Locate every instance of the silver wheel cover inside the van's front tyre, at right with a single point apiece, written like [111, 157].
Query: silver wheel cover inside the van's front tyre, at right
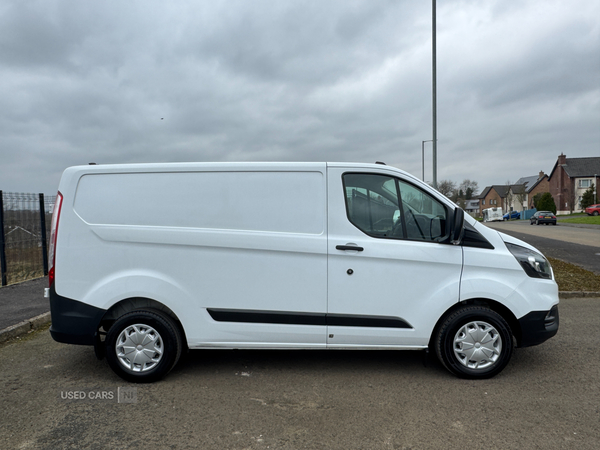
[477, 345]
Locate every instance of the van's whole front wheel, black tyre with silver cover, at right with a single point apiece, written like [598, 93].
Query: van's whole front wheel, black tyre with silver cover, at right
[474, 342]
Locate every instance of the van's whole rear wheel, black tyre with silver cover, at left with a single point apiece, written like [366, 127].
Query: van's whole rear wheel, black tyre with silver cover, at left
[158, 348]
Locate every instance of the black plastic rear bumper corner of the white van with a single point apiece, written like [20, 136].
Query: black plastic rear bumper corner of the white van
[73, 322]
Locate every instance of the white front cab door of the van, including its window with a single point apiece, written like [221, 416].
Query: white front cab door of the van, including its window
[390, 277]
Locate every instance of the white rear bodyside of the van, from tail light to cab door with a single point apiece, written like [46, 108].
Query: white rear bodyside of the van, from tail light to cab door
[250, 240]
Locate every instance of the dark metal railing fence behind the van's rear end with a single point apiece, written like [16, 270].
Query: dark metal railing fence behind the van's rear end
[24, 227]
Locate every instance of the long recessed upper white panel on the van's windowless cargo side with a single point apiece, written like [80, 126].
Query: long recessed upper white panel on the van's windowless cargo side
[290, 202]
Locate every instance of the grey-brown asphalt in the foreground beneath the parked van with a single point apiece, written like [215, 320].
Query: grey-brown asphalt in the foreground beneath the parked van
[547, 398]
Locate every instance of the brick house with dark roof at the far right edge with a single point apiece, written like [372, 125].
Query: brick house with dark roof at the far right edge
[569, 179]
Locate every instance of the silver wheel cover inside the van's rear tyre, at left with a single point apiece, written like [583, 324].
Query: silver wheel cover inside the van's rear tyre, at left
[139, 348]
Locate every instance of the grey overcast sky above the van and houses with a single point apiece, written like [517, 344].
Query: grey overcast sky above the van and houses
[155, 81]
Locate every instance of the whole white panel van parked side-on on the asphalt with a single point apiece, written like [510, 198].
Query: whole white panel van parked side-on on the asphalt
[147, 260]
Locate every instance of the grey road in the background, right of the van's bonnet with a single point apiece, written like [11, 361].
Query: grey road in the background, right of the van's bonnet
[577, 245]
